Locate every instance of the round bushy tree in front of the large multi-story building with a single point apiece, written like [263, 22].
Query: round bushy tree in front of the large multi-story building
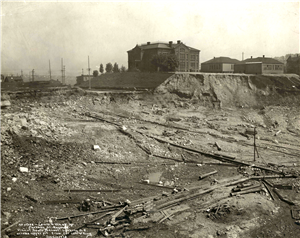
[165, 62]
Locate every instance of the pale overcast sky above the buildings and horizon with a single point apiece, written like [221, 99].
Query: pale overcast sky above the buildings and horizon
[34, 32]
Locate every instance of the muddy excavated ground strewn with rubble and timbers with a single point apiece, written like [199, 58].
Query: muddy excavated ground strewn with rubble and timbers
[48, 150]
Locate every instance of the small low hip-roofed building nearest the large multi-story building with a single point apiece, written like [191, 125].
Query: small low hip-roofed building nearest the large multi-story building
[219, 65]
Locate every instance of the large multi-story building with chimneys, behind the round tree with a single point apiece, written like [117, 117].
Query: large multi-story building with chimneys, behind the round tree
[139, 58]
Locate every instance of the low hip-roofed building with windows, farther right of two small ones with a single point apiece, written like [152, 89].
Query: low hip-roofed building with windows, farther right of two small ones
[259, 65]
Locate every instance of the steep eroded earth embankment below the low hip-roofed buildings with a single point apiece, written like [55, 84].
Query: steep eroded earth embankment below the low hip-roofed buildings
[233, 89]
